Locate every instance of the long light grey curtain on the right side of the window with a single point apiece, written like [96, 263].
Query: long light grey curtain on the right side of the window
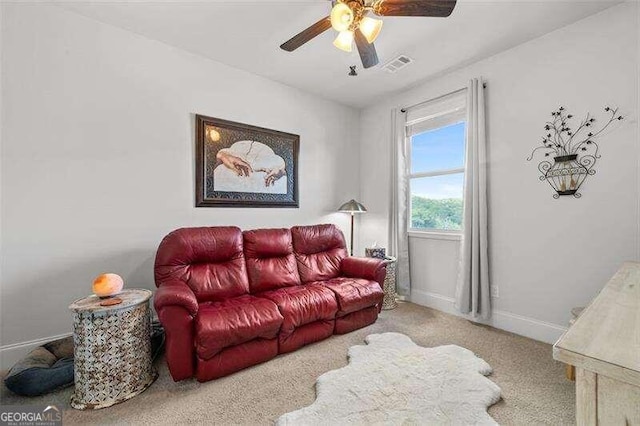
[473, 290]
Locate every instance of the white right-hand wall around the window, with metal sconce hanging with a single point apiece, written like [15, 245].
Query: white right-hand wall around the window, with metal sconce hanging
[547, 255]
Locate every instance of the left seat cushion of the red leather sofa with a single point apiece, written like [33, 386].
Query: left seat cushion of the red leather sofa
[234, 321]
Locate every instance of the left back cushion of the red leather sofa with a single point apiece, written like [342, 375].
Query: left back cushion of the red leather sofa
[210, 260]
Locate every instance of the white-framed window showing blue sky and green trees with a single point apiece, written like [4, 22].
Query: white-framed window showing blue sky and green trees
[436, 139]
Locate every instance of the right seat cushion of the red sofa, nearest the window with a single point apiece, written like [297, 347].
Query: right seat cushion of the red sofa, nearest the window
[354, 294]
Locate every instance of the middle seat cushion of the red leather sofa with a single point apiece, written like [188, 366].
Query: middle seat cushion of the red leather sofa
[303, 304]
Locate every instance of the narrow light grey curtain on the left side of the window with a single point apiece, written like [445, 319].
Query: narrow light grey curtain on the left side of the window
[398, 216]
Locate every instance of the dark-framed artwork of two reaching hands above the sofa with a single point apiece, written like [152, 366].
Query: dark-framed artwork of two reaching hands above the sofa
[238, 165]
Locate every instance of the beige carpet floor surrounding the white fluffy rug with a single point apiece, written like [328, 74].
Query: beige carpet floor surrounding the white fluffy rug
[534, 389]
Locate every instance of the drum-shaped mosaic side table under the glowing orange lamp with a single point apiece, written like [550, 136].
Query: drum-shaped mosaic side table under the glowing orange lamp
[112, 350]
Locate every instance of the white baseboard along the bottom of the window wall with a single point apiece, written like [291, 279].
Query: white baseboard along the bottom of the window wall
[518, 324]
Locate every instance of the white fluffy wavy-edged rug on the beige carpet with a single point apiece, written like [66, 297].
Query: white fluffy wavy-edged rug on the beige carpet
[391, 380]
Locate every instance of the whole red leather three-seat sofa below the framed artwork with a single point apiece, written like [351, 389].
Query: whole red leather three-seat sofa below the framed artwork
[230, 299]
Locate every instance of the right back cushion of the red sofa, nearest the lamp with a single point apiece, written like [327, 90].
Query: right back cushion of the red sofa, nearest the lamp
[319, 250]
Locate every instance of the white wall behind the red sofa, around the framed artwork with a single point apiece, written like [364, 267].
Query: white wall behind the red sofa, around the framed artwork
[98, 157]
